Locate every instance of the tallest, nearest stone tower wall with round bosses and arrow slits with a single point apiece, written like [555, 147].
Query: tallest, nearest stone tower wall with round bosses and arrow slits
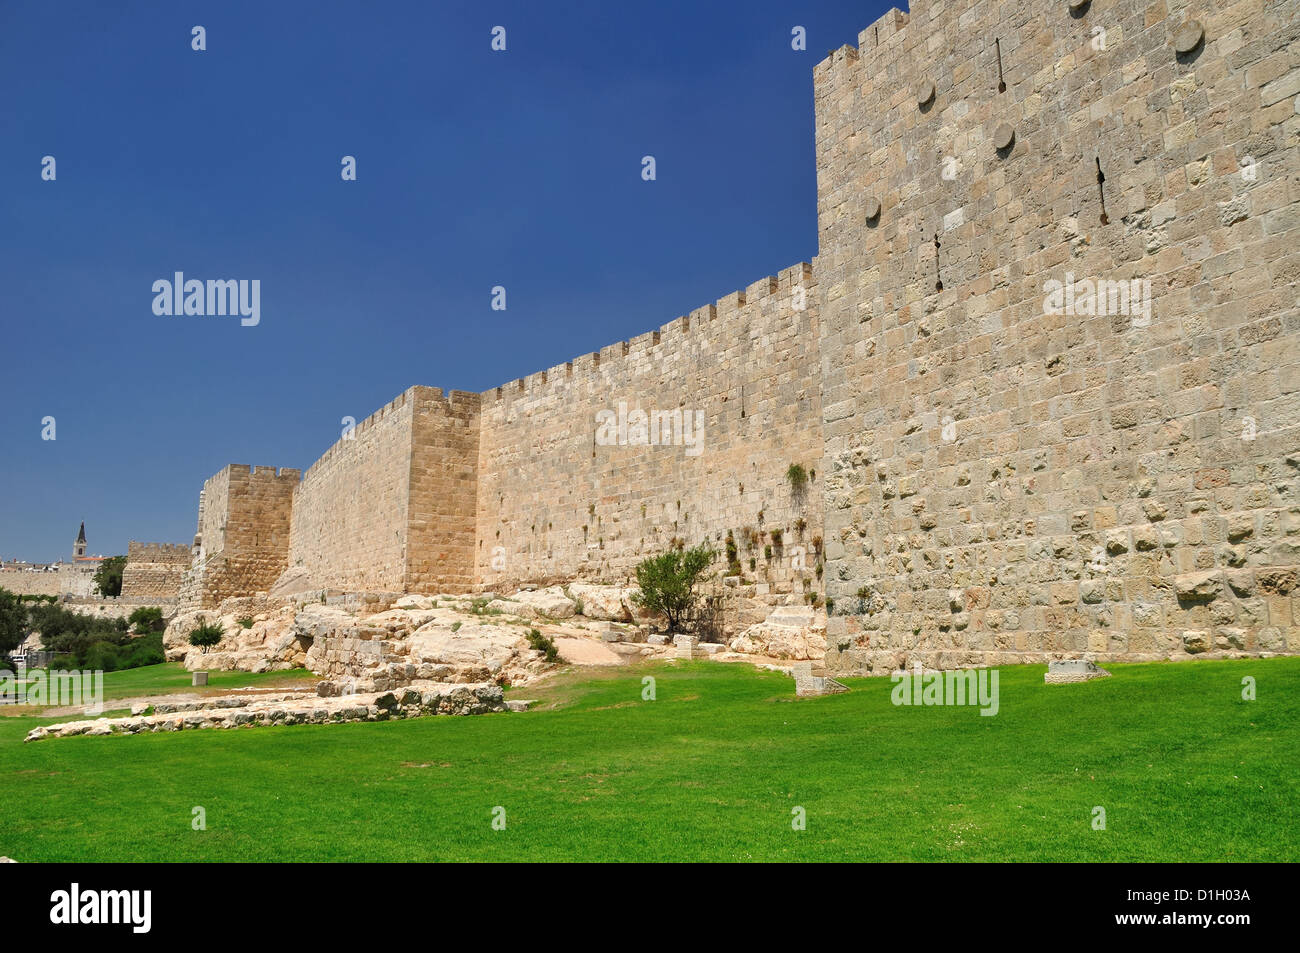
[1013, 475]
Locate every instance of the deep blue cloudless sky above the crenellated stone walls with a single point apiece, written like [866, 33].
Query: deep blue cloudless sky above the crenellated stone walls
[475, 170]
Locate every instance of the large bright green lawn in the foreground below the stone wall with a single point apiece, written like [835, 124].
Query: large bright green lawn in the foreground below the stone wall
[712, 770]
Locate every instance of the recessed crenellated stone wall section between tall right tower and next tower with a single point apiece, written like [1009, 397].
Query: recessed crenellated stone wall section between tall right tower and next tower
[731, 397]
